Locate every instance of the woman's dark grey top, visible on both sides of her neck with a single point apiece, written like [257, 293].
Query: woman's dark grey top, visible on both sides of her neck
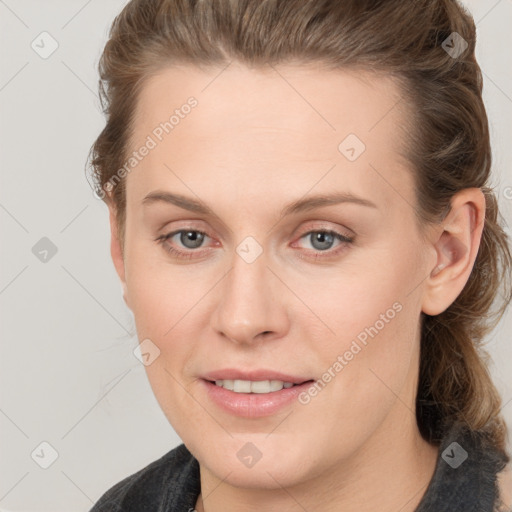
[464, 480]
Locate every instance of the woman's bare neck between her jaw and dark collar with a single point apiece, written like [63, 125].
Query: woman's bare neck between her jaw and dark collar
[390, 472]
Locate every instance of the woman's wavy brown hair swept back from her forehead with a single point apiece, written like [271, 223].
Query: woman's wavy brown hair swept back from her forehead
[448, 147]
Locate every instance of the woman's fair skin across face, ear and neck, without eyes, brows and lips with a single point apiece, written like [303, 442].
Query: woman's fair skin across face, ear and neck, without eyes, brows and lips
[252, 146]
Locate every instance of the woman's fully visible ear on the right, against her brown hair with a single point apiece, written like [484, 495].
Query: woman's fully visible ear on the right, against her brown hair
[456, 241]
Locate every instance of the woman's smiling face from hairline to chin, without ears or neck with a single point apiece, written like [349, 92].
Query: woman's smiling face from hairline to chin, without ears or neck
[266, 294]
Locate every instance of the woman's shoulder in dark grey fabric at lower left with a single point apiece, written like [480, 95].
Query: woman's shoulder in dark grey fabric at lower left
[168, 478]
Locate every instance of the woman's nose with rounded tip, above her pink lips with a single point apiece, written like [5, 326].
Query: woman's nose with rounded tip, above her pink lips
[251, 305]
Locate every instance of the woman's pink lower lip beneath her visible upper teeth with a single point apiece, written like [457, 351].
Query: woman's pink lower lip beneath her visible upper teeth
[253, 405]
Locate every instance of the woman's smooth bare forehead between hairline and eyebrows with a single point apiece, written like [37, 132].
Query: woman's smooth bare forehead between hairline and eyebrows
[275, 128]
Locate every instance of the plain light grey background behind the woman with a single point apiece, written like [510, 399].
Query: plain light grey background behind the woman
[68, 375]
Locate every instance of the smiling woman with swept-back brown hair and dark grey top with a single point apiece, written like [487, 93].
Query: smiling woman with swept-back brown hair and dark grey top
[302, 223]
